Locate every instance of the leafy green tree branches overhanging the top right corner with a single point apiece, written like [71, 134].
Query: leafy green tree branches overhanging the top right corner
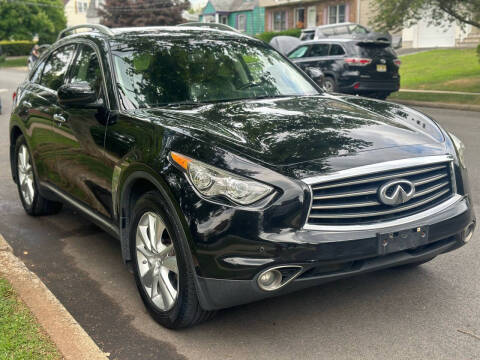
[395, 14]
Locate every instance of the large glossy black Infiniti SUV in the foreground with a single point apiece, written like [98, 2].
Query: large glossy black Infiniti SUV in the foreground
[225, 172]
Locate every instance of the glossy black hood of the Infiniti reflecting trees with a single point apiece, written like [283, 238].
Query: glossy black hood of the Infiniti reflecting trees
[292, 130]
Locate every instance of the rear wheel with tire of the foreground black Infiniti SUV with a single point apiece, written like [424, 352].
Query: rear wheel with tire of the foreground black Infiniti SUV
[28, 190]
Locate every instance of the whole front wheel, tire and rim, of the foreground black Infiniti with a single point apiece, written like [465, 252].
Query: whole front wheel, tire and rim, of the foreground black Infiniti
[171, 298]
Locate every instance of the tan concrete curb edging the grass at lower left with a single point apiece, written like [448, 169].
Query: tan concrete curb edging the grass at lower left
[69, 337]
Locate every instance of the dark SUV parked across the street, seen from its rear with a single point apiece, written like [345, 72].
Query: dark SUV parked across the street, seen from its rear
[362, 67]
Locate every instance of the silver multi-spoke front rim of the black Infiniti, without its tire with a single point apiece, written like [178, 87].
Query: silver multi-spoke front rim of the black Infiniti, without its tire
[157, 261]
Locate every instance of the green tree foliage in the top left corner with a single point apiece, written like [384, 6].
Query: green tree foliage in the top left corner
[23, 19]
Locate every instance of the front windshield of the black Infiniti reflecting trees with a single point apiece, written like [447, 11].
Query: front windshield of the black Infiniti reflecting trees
[156, 72]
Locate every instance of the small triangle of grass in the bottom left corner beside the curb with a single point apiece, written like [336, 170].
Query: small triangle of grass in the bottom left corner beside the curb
[21, 337]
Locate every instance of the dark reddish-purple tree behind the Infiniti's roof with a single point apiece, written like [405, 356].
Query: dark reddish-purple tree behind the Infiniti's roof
[118, 13]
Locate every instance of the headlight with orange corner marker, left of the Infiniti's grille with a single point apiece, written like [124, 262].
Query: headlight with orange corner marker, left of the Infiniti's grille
[211, 181]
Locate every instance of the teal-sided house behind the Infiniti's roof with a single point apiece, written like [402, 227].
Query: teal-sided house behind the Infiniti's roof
[245, 15]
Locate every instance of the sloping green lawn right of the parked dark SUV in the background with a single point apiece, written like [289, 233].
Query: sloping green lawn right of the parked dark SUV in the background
[450, 69]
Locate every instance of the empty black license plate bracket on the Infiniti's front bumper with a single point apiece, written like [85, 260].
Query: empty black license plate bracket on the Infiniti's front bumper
[402, 240]
